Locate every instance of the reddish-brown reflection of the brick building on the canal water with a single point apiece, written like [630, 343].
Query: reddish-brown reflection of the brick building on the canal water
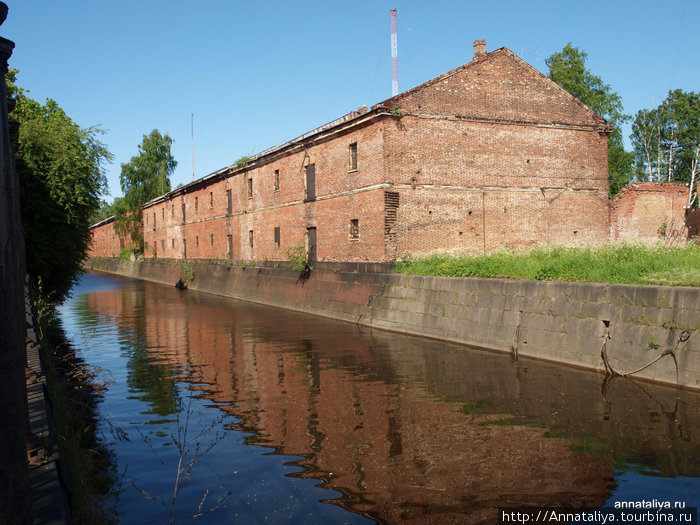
[378, 418]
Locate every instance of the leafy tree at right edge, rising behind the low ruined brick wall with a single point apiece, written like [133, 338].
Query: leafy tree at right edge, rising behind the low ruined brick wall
[666, 141]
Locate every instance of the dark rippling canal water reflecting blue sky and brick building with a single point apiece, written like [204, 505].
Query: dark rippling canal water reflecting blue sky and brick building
[231, 412]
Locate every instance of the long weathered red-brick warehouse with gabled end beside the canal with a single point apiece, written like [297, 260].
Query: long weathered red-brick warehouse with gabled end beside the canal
[488, 155]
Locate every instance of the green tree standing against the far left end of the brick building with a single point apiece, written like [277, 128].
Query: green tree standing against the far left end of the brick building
[144, 177]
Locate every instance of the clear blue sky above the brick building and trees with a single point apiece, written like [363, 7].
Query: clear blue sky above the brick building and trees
[256, 74]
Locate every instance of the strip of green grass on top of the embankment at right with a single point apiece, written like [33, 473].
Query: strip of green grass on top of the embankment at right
[622, 263]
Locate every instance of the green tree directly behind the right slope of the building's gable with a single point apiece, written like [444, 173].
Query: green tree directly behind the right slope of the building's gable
[568, 69]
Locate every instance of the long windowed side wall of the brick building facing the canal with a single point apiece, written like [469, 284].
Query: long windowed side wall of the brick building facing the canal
[341, 195]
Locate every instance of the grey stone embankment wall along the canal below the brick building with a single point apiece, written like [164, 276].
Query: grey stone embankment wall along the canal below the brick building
[621, 327]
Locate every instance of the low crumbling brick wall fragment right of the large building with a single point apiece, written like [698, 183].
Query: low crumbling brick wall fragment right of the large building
[640, 209]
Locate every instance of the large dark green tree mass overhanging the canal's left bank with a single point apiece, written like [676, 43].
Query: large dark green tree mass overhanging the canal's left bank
[61, 174]
